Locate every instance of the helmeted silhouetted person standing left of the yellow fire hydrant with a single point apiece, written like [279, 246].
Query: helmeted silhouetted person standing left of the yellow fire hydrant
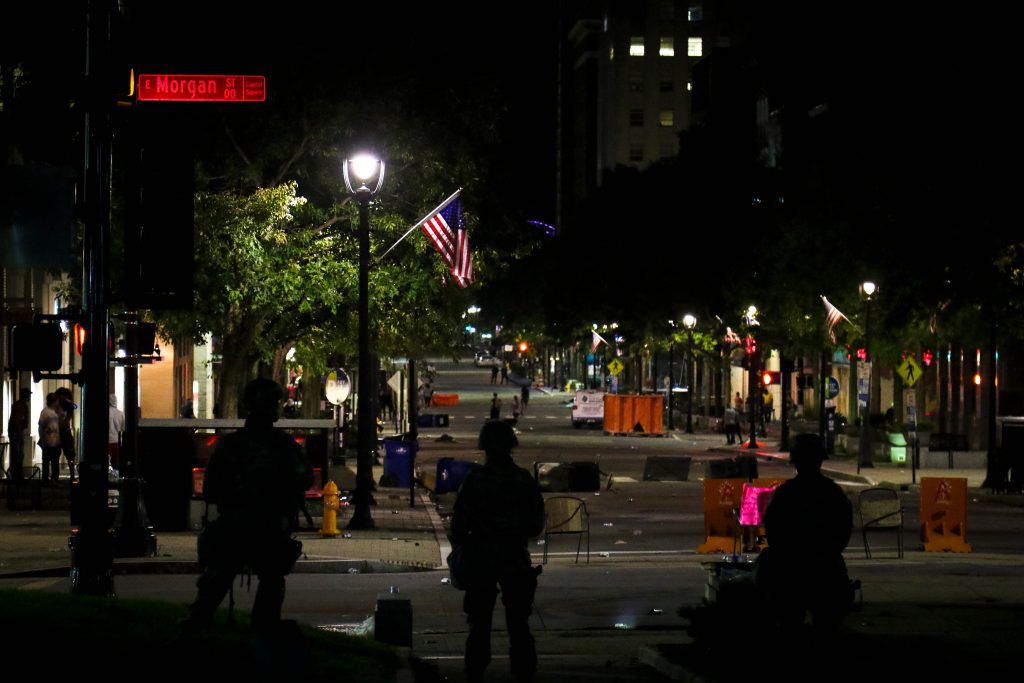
[258, 478]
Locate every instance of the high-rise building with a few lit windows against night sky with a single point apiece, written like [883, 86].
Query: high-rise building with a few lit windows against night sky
[626, 86]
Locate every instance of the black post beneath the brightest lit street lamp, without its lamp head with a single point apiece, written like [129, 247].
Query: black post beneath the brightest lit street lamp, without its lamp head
[367, 437]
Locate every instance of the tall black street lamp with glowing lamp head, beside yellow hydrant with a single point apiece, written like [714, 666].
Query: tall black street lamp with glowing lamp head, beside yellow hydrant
[368, 172]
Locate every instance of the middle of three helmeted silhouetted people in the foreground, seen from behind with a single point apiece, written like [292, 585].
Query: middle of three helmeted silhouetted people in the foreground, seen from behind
[498, 510]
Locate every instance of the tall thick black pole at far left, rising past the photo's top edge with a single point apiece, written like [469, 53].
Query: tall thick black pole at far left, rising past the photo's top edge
[93, 557]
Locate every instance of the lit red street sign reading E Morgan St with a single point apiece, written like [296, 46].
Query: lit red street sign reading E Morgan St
[201, 89]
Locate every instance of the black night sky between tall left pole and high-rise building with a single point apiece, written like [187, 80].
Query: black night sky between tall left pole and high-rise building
[466, 47]
